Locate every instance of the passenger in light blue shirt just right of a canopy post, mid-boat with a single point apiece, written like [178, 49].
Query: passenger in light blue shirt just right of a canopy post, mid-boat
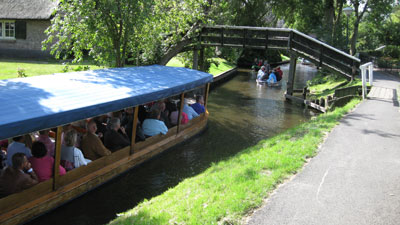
[153, 125]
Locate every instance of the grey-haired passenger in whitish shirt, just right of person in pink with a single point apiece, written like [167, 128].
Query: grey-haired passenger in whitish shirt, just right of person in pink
[71, 155]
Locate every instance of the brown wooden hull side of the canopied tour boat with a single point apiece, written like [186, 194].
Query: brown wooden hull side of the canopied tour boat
[21, 207]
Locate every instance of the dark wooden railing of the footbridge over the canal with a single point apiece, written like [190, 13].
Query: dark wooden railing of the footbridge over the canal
[283, 39]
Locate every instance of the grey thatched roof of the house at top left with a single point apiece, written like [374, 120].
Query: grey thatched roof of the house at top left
[27, 9]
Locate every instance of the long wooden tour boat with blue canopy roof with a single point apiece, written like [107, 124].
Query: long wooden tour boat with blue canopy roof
[51, 101]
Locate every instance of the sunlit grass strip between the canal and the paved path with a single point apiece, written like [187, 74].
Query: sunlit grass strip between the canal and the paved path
[230, 189]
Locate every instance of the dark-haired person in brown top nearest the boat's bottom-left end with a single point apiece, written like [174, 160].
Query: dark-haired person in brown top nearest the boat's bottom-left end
[18, 177]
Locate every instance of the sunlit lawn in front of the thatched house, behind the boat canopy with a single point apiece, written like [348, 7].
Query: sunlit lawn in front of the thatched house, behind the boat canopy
[8, 69]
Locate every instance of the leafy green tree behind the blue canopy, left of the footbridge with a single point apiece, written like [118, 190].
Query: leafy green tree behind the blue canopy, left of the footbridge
[117, 31]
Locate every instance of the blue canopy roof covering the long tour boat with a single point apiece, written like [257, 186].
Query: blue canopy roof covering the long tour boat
[41, 102]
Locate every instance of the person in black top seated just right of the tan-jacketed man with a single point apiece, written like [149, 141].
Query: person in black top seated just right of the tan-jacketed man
[115, 138]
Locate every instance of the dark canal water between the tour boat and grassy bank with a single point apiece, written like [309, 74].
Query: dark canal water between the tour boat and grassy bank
[241, 114]
